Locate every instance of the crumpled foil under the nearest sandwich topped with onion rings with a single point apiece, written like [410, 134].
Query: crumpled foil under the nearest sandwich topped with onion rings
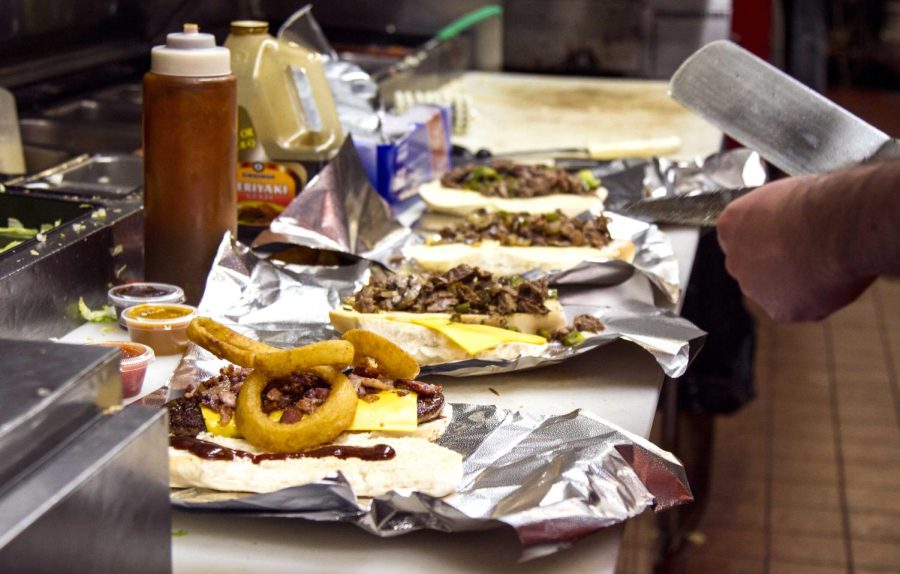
[554, 479]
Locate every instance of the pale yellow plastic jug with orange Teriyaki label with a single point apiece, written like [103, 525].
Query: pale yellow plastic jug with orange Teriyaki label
[288, 126]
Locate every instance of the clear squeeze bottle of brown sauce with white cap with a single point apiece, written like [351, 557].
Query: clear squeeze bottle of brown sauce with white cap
[190, 154]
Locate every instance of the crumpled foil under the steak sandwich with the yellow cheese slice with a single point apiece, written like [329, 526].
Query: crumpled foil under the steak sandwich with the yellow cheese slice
[286, 304]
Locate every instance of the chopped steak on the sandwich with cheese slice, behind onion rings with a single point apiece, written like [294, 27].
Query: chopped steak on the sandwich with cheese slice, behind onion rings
[461, 290]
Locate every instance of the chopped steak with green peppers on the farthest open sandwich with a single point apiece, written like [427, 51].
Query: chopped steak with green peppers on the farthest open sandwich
[507, 179]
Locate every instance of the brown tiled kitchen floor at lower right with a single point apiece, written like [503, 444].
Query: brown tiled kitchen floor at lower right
[806, 479]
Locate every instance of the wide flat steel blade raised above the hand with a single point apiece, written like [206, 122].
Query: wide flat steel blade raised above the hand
[790, 125]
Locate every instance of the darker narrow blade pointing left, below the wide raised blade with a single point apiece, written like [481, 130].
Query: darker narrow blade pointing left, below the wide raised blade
[701, 209]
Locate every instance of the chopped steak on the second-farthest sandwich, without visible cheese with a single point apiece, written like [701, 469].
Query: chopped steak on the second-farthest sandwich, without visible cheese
[529, 230]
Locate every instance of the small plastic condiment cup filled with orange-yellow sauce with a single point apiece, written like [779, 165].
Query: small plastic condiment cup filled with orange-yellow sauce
[162, 327]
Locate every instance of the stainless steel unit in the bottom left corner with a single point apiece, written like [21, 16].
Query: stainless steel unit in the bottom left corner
[82, 489]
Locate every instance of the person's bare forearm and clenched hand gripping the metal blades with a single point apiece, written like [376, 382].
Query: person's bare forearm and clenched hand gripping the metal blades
[804, 247]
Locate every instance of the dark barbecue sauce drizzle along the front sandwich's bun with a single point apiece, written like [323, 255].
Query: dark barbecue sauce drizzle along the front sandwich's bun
[211, 451]
